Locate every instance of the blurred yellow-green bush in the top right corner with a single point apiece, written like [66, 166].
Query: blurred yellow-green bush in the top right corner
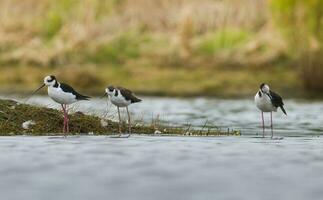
[302, 24]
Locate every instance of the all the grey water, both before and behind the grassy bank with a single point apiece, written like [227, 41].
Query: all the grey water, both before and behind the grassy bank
[179, 168]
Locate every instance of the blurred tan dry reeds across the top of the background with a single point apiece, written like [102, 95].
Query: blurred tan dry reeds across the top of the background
[21, 24]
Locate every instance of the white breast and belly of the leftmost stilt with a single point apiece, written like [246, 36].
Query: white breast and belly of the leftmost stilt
[58, 95]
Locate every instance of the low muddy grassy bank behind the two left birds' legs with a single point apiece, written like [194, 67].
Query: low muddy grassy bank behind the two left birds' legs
[23, 119]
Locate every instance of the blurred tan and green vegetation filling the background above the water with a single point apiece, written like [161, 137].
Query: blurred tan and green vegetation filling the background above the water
[223, 48]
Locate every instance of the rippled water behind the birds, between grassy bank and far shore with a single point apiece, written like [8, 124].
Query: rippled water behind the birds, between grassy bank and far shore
[304, 117]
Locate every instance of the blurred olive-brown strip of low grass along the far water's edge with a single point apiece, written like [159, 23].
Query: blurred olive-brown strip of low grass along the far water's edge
[162, 82]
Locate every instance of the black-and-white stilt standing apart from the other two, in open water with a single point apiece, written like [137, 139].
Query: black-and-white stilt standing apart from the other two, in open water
[268, 101]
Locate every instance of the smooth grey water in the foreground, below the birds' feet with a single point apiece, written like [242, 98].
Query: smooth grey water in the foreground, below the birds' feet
[145, 168]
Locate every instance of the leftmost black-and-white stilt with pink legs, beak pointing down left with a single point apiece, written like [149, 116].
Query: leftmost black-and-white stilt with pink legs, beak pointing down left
[62, 94]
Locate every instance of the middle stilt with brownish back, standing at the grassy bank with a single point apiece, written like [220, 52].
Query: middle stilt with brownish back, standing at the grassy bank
[121, 97]
